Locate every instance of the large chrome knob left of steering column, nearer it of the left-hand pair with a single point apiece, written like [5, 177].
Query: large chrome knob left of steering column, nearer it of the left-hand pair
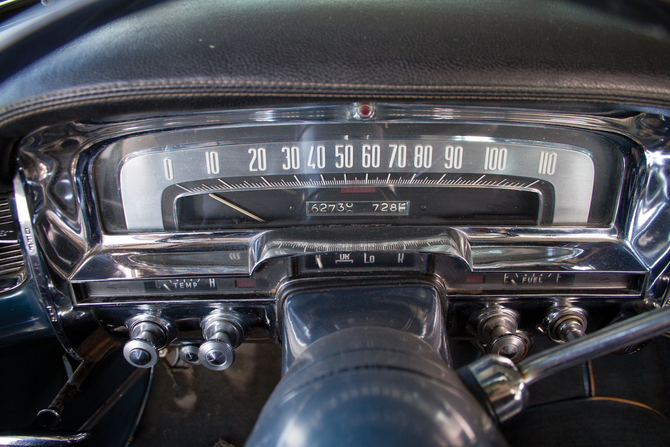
[222, 336]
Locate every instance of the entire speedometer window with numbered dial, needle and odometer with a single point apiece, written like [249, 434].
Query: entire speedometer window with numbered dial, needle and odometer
[358, 174]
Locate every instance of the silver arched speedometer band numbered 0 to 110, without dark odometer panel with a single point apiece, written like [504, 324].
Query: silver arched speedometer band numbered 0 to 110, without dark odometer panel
[151, 166]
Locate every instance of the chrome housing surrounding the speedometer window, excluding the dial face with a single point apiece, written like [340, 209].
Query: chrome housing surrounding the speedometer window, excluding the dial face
[95, 274]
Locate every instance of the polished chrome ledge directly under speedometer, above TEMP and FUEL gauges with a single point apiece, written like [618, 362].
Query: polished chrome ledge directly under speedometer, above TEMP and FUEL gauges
[165, 254]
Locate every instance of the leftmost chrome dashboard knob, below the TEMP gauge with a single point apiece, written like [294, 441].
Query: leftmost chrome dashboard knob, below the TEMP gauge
[146, 338]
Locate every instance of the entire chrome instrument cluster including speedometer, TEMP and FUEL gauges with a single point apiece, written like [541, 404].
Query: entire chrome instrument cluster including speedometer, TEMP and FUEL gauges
[198, 211]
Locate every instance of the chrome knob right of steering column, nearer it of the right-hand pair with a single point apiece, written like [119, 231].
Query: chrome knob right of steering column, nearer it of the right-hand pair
[498, 331]
